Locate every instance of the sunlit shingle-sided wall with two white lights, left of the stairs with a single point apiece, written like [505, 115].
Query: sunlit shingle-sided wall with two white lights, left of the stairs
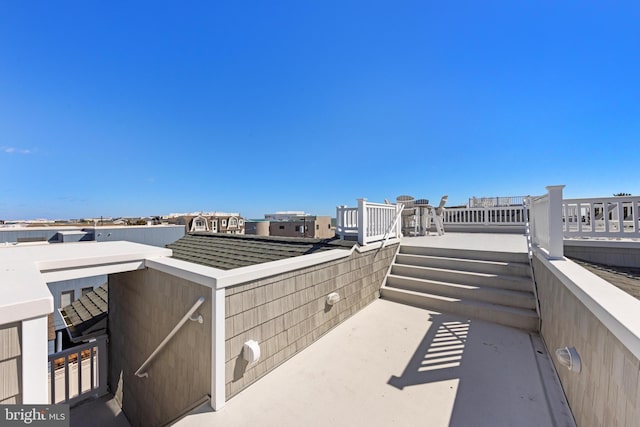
[287, 312]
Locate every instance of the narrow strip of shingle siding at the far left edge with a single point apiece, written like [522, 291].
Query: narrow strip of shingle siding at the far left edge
[10, 364]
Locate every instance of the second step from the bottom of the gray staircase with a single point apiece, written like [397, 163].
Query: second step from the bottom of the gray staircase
[496, 296]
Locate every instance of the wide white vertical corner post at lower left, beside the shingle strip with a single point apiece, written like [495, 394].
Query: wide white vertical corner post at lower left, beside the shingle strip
[35, 383]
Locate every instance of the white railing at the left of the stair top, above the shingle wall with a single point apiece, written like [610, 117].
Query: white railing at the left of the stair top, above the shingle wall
[370, 222]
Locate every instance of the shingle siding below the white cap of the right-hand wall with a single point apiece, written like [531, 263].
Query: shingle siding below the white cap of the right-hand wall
[607, 391]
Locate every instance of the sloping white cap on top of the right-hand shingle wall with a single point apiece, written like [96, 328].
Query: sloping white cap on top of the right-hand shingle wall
[616, 309]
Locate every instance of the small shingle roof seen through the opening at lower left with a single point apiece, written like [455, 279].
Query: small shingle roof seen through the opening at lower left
[86, 316]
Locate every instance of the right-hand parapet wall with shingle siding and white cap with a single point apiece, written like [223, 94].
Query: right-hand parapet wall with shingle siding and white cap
[576, 311]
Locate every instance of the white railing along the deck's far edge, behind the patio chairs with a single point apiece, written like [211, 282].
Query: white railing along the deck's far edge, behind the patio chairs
[486, 216]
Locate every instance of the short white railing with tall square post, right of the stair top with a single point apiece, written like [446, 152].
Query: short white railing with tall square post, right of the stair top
[545, 218]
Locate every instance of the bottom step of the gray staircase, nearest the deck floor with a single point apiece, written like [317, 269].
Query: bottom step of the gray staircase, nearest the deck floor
[509, 316]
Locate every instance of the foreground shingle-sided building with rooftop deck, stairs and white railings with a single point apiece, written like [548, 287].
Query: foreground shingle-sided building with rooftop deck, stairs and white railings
[452, 328]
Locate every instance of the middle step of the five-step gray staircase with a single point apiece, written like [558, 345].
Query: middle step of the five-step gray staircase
[514, 283]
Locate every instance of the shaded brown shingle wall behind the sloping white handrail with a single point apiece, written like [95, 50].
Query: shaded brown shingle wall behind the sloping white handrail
[144, 306]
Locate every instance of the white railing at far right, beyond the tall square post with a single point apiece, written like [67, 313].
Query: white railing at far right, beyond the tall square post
[602, 217]
